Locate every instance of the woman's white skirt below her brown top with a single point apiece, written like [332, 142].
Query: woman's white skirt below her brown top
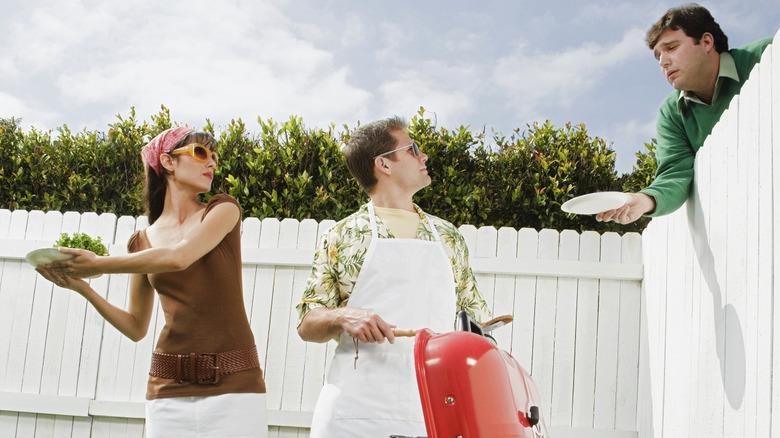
[218, 416]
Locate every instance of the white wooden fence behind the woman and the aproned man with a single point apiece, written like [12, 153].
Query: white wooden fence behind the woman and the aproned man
[64, 372]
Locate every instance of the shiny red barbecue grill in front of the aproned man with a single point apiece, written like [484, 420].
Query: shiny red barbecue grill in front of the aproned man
[469, 388]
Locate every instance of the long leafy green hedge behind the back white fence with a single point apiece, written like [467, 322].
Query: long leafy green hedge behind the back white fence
[289, 170]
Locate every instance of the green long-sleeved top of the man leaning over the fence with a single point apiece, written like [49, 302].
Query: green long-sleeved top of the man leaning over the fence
[684, 122]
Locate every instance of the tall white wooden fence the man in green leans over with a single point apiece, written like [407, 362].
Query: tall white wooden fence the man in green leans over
[711, 349]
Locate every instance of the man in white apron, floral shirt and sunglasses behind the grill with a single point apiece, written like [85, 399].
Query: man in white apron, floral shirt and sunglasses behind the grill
[387, 265]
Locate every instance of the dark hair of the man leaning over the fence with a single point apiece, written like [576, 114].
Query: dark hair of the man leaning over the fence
[694, 20]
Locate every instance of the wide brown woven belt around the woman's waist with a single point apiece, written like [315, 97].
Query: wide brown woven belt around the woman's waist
[202, 368]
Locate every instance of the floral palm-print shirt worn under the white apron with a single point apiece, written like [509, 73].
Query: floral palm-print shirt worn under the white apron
[343, 248]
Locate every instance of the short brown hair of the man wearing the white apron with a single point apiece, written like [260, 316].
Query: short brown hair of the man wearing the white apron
[367, 142]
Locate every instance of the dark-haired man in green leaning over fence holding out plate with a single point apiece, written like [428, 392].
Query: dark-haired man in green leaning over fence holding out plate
[694, 57]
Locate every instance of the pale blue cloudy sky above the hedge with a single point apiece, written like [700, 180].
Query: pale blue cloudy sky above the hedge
[493, 65]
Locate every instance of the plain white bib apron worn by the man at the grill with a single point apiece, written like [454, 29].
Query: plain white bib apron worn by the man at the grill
[408, 283]
